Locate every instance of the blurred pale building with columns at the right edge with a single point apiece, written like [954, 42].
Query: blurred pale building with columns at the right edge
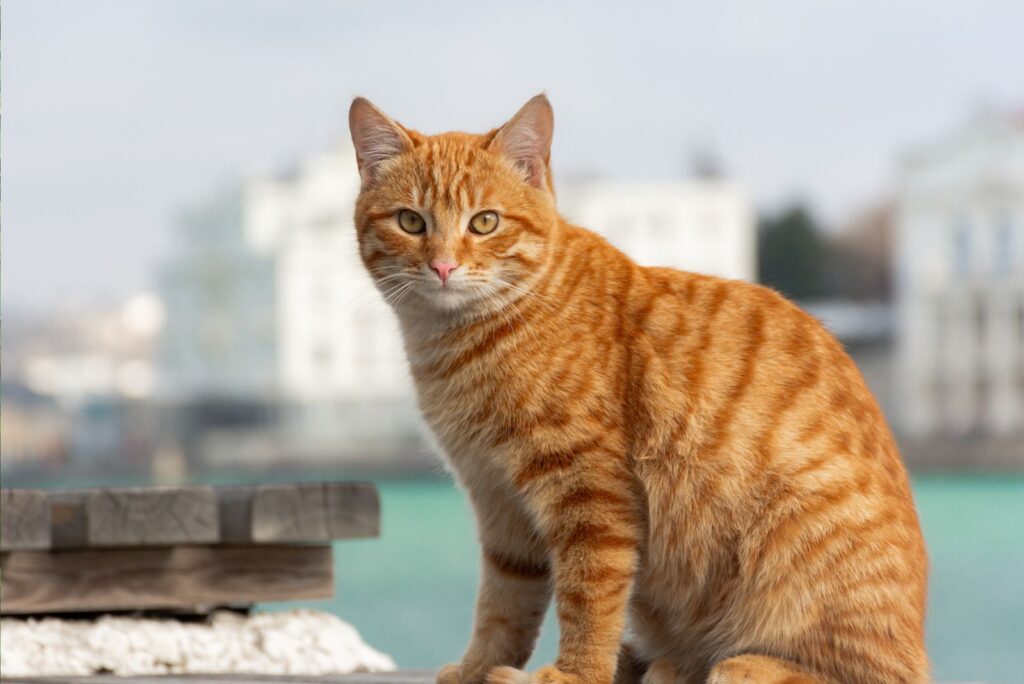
[960, 283]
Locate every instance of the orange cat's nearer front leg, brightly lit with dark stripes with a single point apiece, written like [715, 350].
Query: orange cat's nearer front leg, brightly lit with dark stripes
[591, 521]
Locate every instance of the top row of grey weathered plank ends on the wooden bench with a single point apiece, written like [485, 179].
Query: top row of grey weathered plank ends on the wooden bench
[198, 516]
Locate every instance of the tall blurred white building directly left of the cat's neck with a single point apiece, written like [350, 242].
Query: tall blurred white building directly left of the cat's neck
[337, 339]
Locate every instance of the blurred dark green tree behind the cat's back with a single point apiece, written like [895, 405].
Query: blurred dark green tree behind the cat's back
[793, 254]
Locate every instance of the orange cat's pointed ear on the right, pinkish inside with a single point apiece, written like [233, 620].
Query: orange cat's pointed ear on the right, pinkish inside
[526, 140]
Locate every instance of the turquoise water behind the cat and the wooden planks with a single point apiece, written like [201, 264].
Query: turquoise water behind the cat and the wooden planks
[411, 592]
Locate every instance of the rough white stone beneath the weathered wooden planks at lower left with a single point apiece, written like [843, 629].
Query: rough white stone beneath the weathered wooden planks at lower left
[295, 643]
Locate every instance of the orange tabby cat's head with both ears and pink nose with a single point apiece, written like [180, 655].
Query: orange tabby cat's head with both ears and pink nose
[454, 223]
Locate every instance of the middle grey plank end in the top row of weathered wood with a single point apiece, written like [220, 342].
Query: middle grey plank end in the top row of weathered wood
[152, 517]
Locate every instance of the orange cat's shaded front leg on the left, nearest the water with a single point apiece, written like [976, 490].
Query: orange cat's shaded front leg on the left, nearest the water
[515, 591]
